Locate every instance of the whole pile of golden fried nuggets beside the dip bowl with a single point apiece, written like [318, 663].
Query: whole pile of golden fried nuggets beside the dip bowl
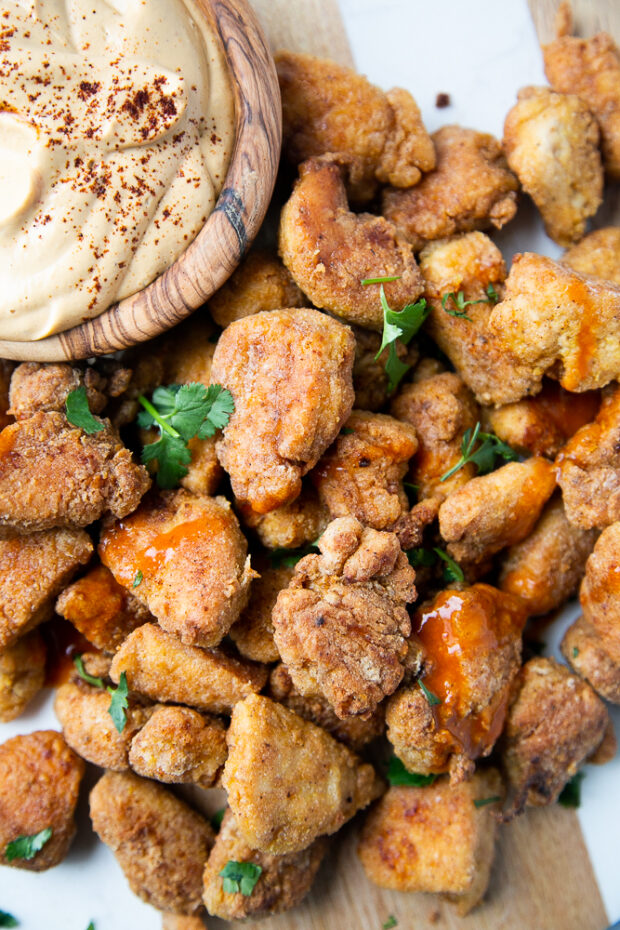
[290, 678]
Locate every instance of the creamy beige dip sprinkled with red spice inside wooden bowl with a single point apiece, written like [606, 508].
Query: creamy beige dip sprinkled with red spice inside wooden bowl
[116, 127]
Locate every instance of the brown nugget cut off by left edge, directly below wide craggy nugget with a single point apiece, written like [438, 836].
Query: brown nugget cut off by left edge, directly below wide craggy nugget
[33, 571]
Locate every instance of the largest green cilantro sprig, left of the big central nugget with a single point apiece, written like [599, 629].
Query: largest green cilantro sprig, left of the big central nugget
[181, 412]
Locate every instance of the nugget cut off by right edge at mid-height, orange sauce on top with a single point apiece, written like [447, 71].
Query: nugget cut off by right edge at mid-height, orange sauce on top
[588, 467]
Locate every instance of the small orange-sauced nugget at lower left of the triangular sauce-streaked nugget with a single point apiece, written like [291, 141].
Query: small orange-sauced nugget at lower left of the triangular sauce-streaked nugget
[101, 609]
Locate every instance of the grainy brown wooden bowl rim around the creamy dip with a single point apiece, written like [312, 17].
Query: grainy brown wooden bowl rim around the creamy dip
[229, 230]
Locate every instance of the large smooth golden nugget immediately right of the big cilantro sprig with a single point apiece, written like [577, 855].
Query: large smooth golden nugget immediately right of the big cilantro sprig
[289, 372]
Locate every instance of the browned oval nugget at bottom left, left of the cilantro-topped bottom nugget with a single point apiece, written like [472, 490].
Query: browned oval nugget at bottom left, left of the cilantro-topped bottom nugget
[159, 842]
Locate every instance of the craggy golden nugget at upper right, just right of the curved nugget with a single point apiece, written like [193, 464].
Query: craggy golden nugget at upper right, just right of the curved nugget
[471, 188]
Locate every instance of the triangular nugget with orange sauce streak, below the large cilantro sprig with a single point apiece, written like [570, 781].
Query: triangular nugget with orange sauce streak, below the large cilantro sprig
[185, 558]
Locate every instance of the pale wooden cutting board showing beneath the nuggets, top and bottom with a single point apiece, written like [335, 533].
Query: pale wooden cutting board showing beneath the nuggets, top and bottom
[542, 878]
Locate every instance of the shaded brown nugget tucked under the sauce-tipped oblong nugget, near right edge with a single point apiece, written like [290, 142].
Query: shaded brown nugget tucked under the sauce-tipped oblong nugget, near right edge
[545, 569]
